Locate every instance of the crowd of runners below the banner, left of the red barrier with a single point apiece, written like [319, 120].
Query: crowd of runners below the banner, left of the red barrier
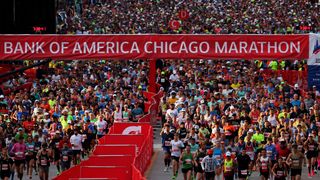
[57, 122]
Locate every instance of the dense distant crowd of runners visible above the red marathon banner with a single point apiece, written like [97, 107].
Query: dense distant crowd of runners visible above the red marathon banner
[205, 17]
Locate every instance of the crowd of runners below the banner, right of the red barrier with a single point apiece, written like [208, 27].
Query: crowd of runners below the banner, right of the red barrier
[225, 119]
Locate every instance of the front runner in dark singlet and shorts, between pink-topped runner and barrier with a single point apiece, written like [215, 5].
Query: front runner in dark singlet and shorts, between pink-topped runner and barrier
[44, 159]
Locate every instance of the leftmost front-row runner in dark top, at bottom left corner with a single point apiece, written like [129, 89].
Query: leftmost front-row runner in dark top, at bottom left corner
[6, 164]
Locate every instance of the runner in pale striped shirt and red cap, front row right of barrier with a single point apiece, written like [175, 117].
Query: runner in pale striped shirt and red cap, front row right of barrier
[210, 165]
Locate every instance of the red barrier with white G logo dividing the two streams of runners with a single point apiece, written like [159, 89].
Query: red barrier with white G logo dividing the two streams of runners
[124, 153]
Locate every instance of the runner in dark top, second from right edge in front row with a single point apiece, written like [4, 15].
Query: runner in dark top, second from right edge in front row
[294, 161]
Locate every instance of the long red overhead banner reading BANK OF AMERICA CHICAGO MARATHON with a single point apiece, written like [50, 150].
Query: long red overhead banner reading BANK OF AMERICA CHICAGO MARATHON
[70, 47]
